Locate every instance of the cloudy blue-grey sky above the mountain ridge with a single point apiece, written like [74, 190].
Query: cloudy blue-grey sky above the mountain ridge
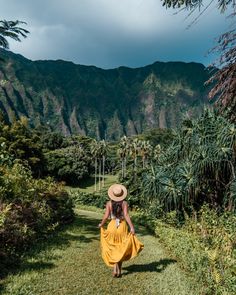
[111, 33]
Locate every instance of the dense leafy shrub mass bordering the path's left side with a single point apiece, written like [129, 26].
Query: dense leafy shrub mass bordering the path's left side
[29, 209]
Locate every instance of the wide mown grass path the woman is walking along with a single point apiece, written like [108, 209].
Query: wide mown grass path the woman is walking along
[70, 263]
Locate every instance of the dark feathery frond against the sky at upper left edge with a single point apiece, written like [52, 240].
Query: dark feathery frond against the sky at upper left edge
[10, 29]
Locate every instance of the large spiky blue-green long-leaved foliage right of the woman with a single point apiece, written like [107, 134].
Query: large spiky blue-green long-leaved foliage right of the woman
[198, 168]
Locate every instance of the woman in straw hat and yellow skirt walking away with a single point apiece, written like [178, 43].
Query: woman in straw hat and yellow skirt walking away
[117, 244]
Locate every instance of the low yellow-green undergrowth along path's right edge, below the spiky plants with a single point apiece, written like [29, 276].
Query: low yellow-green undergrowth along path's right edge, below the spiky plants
[204, 246]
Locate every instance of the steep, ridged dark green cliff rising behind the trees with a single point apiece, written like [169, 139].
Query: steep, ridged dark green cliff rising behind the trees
[100, 103]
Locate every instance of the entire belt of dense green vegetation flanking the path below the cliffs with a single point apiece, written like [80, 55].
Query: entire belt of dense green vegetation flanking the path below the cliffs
[181, 182]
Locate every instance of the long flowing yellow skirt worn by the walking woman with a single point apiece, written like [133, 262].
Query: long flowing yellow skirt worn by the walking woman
[117, 244]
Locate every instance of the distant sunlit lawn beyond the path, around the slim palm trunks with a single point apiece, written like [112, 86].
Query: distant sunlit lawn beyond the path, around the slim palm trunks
[87, 185]
